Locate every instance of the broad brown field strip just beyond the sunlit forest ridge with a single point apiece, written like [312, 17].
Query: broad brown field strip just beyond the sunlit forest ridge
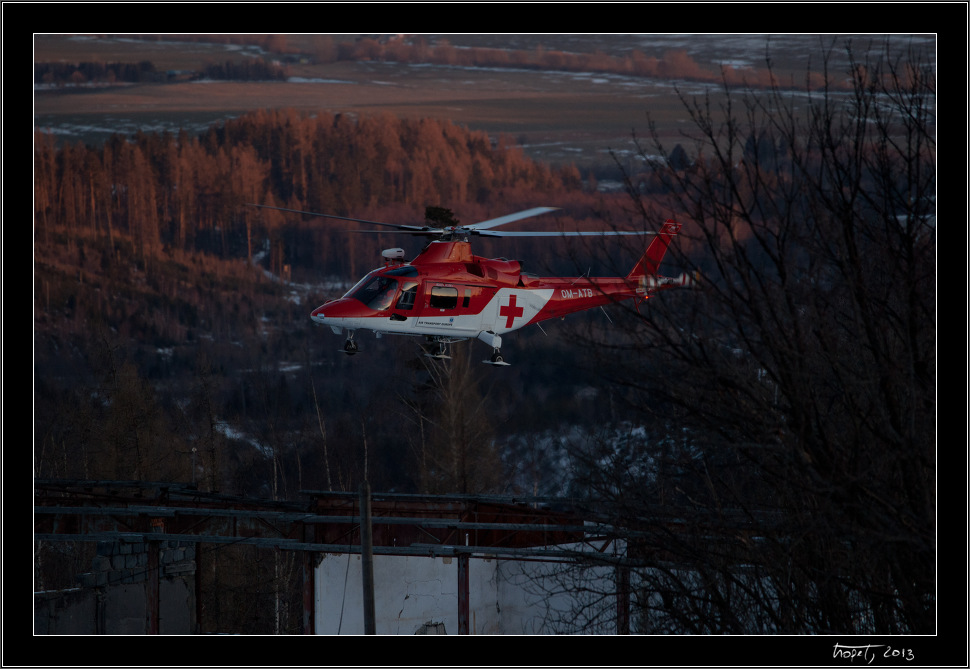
[556, 126]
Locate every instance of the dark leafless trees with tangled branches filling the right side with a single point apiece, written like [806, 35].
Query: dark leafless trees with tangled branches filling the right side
[787, 482]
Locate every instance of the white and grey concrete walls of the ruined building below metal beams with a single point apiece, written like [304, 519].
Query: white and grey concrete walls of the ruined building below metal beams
[413, 595]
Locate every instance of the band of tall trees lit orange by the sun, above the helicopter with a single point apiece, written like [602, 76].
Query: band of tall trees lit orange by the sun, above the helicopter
[176, 192]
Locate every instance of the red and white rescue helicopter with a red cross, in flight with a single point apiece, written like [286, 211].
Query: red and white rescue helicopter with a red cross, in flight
[446, 294]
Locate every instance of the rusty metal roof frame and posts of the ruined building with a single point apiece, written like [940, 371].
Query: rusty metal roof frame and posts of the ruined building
[461, 526]
